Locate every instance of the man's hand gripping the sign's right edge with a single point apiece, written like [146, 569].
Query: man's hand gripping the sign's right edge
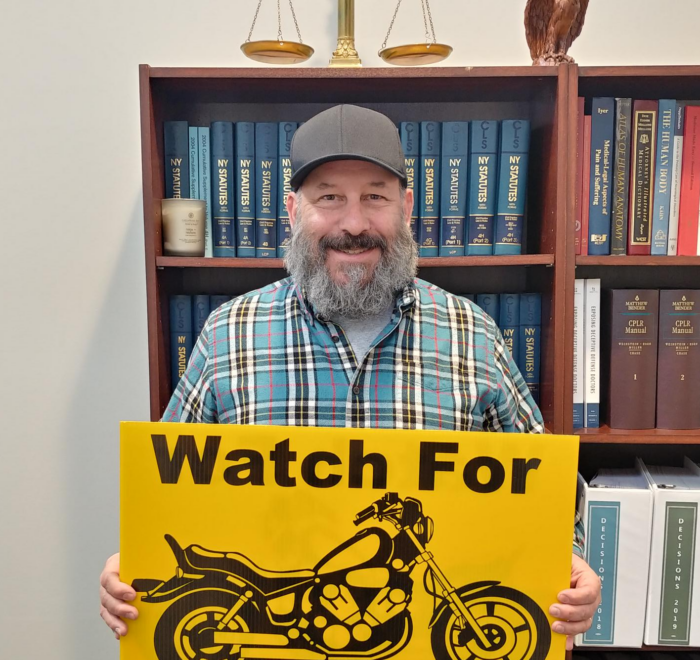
[577, 605]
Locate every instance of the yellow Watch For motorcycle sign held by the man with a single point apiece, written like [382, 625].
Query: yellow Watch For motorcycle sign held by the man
[310, 544]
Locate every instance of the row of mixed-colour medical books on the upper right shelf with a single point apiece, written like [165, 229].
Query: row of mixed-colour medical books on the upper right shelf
[638, 186]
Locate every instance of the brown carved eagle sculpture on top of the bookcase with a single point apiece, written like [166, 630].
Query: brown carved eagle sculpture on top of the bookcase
[551, 27]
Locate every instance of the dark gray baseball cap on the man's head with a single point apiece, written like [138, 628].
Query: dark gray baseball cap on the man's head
[346, 132]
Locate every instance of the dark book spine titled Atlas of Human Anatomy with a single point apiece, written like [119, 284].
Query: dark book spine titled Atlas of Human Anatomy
[621, 173]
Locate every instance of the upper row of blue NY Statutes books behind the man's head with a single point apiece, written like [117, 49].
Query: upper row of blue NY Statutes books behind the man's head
[469, 180]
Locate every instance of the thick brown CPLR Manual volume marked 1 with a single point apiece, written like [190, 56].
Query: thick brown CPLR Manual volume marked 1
[633, 317]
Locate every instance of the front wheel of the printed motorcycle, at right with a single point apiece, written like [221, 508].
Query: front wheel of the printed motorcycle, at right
[513, 623]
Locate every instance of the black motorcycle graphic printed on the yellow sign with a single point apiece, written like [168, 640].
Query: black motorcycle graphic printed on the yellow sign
[353, 604]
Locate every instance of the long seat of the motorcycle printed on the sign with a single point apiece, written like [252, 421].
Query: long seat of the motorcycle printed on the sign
[268, 582]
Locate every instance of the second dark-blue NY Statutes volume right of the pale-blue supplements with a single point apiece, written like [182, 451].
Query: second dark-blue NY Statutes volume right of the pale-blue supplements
[245, 185]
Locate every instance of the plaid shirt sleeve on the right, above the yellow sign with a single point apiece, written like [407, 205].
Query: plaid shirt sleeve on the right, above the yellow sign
[513, 409]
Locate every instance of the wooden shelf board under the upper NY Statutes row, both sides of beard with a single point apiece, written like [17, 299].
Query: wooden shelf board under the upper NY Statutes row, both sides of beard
[439, 262]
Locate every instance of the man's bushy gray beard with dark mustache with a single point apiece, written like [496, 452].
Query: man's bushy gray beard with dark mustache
[365, 293]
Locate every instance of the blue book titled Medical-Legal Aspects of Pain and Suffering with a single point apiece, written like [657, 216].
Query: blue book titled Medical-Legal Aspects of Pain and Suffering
[602, 136]
